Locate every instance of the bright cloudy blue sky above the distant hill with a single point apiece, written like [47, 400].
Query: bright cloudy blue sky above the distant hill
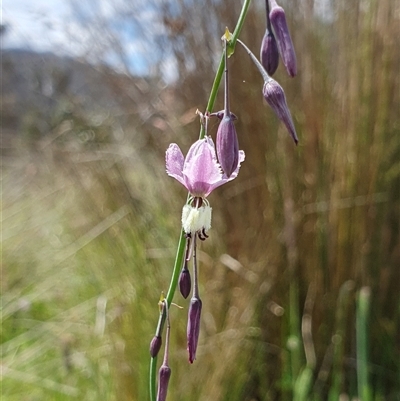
[55, 26]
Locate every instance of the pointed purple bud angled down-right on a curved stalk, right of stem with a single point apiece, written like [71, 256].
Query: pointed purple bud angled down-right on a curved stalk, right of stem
[275, 97]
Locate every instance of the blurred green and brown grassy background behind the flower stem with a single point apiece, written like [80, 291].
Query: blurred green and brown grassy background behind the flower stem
[300, 276]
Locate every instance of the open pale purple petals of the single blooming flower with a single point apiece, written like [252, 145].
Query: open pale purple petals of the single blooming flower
[199, 172]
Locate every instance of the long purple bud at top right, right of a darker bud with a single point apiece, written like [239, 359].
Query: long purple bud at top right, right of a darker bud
[285, 44]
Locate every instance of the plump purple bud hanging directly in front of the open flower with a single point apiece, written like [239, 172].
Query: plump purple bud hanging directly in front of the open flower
[227, 145]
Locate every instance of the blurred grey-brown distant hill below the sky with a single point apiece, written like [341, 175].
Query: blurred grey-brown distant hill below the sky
[39, 89]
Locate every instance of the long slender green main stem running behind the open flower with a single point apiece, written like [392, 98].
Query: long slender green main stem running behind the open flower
[182, 240]
